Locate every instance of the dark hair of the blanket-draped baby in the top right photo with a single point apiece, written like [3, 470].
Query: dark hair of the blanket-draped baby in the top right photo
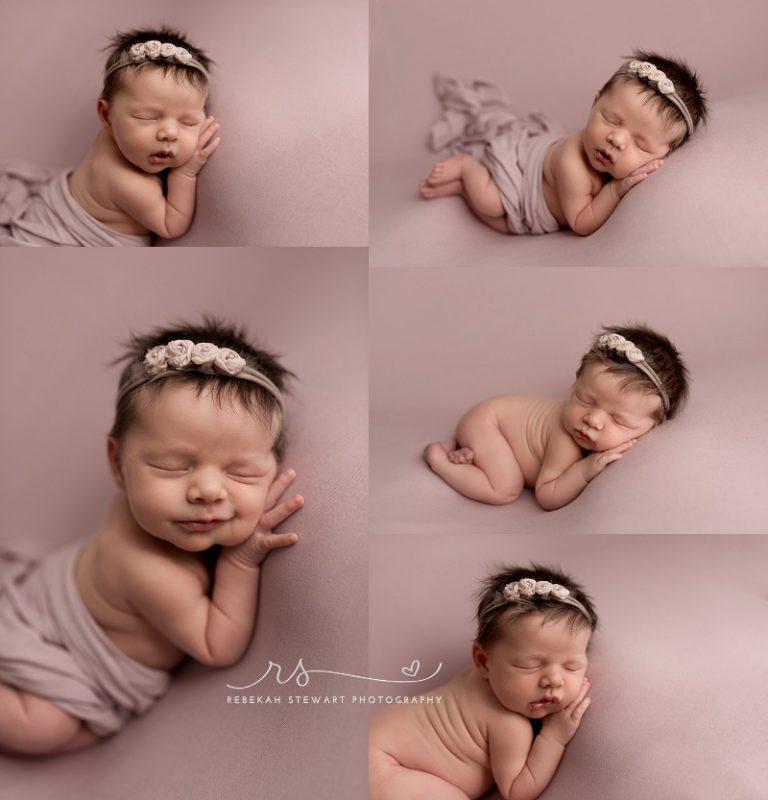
[688, 88]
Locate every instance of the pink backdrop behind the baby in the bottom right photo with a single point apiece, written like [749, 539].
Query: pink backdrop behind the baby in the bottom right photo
[678, 666]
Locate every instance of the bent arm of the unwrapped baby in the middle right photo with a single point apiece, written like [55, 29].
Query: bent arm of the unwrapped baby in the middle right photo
[564, 474]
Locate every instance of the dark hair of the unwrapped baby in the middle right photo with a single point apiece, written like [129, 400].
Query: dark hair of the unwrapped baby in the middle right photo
[662, 356]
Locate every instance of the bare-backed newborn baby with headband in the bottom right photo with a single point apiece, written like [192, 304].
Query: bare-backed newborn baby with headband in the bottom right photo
[529, 664]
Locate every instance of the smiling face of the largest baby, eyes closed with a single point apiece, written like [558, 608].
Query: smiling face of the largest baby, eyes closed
[195, 473]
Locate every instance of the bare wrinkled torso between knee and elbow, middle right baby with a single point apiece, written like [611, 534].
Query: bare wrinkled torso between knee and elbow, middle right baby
[527, 422]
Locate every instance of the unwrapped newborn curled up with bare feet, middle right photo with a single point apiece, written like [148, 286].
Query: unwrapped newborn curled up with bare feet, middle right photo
[629, 381]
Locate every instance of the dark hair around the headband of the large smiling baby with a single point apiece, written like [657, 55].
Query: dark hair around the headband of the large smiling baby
[256, 399]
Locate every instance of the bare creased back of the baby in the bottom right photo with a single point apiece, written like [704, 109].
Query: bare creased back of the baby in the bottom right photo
[446, 738]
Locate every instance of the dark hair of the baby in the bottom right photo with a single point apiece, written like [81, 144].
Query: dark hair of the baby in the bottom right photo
[495, 610]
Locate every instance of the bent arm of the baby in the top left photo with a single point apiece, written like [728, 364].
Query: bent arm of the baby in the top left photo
[143, 199]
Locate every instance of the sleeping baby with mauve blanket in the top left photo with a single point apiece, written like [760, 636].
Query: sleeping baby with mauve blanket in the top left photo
[139, 176]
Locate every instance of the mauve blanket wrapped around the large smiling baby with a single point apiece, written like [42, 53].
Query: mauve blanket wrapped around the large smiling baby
[52, 647]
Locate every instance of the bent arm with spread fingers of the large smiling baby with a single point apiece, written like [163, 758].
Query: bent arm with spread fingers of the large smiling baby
[215, 631]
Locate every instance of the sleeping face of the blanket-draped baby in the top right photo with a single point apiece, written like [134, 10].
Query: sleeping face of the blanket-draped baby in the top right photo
[625, 131]
